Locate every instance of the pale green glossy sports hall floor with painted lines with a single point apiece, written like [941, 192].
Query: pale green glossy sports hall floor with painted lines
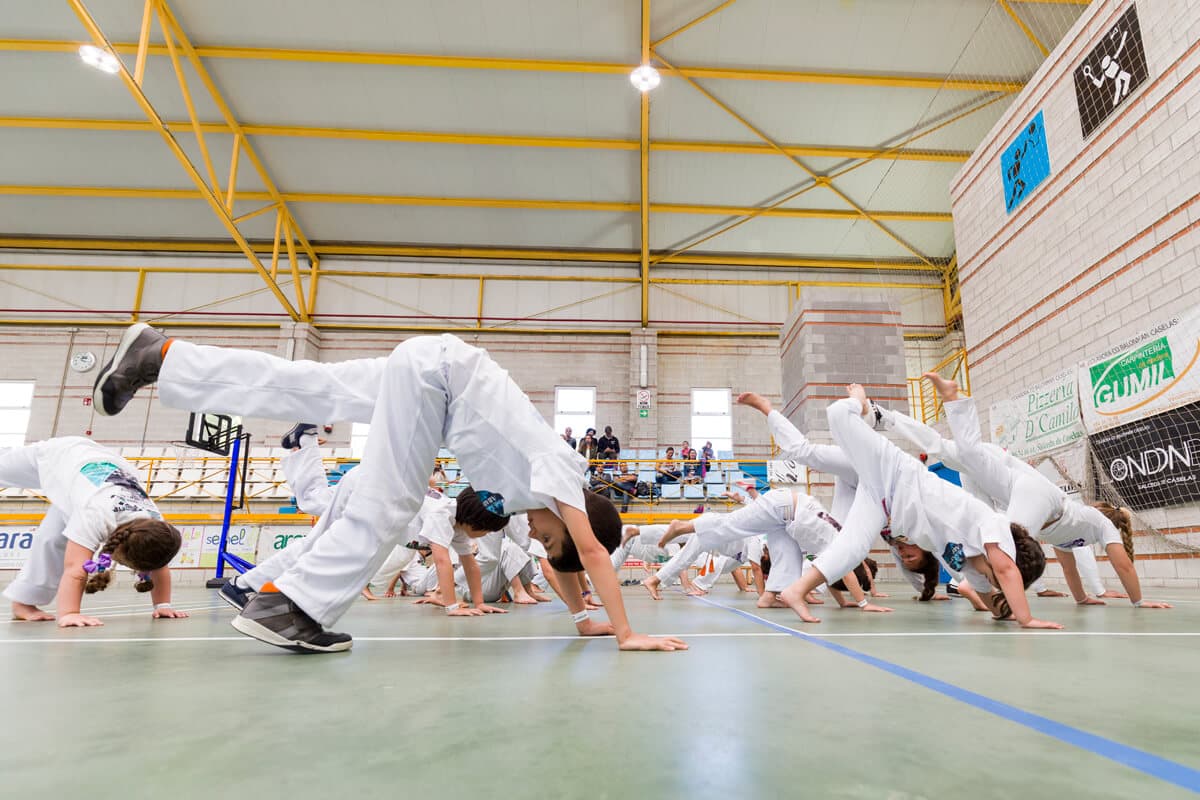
[933, 701]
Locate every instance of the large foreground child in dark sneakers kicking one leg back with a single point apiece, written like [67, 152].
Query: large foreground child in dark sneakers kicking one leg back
[430, 392]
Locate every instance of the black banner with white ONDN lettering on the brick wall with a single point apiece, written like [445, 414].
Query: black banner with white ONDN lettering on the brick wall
[1154, 462]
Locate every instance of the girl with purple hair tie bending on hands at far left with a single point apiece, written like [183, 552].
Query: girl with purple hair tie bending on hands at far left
[99, 518]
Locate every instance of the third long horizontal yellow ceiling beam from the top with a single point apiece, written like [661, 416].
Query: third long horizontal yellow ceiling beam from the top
[339, 199]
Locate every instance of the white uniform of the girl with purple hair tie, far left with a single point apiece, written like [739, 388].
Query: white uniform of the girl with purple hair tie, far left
[92, 492]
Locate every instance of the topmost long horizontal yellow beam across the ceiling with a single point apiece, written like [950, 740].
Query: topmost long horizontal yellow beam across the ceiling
[934, 83]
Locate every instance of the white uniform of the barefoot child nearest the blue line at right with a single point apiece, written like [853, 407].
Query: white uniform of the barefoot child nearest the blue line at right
[933, 514]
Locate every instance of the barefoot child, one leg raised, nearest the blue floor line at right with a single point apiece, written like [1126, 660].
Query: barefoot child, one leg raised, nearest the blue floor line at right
[927, 512]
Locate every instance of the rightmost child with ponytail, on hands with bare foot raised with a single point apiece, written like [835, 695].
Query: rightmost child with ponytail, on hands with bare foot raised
[1036, 504]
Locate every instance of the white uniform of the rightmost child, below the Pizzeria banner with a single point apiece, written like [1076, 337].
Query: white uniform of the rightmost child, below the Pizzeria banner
[1030, 500]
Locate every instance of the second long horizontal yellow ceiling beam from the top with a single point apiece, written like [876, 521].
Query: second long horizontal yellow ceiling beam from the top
[484, 140]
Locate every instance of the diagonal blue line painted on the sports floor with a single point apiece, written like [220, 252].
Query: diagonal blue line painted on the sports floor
[1139, 760]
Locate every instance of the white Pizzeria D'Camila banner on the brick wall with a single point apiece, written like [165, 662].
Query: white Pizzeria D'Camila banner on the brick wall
[1041, 419]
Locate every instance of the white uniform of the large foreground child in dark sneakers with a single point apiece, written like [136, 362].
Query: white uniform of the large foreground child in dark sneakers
[428, 393]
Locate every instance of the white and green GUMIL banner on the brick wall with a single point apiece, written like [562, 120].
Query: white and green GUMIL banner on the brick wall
[1149, 375]
